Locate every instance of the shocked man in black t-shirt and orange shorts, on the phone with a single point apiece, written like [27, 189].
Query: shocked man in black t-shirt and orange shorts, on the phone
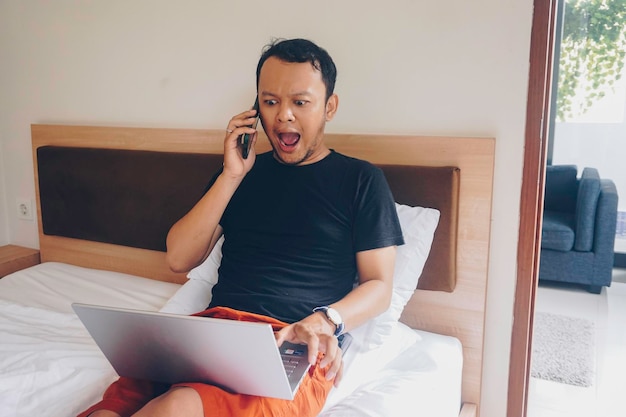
[300, 223]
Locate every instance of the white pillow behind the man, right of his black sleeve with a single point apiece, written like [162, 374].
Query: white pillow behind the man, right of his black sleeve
[418, 227]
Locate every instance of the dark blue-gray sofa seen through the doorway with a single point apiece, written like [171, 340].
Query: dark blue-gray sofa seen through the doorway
[578, 232]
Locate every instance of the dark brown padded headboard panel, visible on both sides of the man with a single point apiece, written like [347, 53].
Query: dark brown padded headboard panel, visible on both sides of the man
[132, 198]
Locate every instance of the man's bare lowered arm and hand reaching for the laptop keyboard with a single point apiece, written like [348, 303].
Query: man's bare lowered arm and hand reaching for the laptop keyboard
[371, 298]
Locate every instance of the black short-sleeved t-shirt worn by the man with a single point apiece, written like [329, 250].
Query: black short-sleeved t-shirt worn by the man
[292, 233]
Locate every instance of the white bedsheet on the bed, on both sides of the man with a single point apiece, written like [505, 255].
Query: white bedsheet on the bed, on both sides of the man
[49, 365]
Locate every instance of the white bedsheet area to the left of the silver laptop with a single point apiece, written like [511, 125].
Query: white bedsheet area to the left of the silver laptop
[49, 365]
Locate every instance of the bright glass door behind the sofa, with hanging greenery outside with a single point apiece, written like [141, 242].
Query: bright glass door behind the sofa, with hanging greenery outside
[588, 117]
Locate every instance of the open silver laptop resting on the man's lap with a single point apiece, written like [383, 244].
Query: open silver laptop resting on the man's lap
[237, 356]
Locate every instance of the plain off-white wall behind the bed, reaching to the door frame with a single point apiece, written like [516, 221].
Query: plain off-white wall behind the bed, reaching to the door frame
[434, 68]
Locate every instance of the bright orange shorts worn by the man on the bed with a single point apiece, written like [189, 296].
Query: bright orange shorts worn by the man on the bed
[127, 396]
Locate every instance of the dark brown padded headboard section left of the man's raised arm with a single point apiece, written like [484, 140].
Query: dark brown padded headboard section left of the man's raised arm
[123, 197]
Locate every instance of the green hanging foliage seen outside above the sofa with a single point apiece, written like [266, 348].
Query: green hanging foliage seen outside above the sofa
[593, 48]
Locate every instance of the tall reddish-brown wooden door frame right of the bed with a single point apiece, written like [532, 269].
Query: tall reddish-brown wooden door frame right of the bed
[531, 202]
